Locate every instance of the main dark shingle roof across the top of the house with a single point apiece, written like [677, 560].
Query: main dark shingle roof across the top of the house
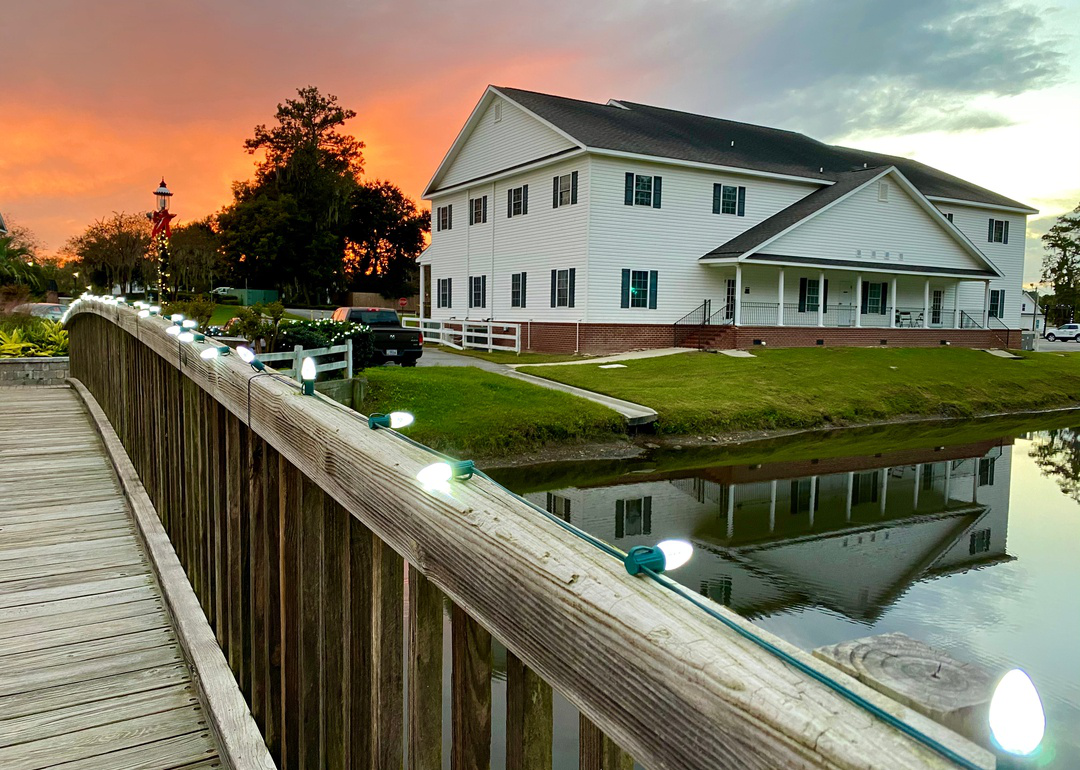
[665, 133]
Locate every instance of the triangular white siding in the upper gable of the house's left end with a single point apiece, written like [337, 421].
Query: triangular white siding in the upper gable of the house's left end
[495, 146]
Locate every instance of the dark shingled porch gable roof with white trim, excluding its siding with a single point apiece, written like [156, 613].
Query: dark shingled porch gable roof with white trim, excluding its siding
[768, 231]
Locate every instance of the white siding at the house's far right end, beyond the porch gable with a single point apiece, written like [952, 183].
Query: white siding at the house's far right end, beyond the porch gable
[1009, 259]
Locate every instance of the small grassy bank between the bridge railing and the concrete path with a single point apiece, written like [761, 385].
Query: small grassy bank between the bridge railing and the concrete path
[468, 412]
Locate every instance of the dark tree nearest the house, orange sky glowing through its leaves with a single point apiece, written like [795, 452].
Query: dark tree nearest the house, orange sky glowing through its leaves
[384, 237]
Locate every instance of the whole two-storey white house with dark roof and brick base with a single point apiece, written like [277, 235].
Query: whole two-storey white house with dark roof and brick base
[618, 226]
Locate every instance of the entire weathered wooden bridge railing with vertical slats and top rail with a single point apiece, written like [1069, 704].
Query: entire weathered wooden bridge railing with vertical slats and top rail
[298, 525]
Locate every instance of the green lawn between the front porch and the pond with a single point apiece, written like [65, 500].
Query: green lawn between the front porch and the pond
[806, 388]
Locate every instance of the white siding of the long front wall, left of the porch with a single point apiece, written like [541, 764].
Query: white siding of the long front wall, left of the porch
[670, 239]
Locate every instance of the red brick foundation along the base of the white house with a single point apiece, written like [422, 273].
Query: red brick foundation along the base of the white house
[616, 339]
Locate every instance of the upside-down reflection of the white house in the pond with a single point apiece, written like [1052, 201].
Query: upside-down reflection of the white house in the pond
[847, 534]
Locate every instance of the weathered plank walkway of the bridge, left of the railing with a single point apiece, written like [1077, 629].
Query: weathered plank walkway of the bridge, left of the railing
[91, 672]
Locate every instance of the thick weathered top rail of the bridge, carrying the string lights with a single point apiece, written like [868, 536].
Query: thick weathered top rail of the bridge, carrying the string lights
[629, 654]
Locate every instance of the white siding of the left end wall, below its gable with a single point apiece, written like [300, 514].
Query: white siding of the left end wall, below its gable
[544, 240]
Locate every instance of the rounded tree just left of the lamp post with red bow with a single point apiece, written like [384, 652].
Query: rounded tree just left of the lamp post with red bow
[115, 252]
